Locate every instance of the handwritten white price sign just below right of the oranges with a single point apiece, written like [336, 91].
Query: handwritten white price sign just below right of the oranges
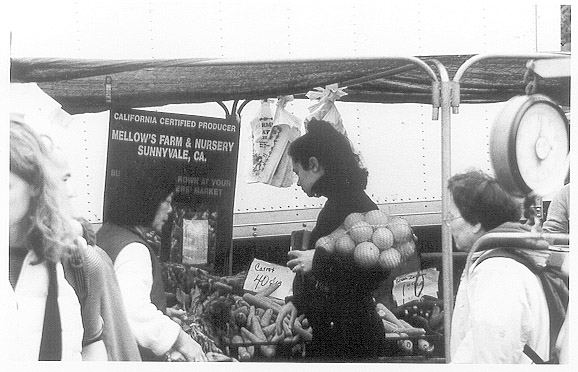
[413, 286]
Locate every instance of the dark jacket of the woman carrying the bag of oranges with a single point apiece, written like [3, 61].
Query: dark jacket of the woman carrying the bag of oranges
[337, 297]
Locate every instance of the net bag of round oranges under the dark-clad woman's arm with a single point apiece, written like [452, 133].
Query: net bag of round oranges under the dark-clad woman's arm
[372, 239]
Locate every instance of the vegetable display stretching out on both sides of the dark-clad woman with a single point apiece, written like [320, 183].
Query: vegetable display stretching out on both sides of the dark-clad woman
[222, 318]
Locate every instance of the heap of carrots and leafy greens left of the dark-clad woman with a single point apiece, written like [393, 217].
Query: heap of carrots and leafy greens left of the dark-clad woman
[227, 321]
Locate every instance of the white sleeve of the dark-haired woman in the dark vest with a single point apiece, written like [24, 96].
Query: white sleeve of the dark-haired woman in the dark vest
[152, 329]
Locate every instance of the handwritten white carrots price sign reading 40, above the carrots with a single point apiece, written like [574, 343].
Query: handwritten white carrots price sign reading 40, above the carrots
[262, 274]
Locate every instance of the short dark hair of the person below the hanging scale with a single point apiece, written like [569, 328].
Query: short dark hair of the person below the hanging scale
[480, 199]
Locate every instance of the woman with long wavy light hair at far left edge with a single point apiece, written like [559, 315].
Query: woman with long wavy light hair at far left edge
[46, 308]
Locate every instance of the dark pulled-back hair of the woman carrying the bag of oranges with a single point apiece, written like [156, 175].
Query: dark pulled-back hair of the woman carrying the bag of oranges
[333, 151]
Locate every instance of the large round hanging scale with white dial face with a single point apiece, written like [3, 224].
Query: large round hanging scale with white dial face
[529, 146]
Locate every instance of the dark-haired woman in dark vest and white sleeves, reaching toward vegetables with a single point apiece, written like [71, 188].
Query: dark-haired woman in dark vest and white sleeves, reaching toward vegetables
[137, 208]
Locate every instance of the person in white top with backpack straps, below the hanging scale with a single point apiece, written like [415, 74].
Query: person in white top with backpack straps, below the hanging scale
[500, 306]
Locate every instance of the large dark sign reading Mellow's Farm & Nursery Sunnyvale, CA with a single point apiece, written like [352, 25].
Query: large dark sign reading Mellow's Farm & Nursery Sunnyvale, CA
[200, 153]
